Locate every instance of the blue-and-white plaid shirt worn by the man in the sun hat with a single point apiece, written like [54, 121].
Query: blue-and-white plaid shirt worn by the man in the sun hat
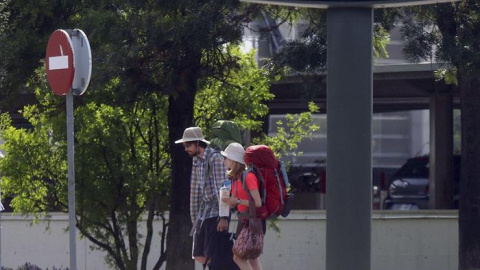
[206, 190]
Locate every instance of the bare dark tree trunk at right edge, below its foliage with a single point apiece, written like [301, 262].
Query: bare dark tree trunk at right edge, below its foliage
[469, 208]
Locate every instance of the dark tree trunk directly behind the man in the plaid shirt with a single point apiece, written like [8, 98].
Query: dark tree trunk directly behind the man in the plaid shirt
[180, 116]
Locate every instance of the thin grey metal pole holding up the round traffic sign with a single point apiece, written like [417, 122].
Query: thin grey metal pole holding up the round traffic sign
[71, 182]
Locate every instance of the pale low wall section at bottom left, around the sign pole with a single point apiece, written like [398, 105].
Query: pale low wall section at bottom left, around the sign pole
[23, 242]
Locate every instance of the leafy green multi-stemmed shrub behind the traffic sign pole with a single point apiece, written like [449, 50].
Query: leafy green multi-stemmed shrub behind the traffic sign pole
[122, 172]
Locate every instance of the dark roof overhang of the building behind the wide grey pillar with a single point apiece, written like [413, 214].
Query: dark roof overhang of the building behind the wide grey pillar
[395, 88]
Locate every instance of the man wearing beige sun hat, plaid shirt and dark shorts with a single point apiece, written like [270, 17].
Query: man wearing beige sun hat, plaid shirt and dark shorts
[208, 172]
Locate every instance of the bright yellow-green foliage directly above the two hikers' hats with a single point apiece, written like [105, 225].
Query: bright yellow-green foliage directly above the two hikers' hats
[239, 97]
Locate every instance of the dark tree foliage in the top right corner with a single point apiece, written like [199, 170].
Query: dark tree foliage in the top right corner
[448, 32]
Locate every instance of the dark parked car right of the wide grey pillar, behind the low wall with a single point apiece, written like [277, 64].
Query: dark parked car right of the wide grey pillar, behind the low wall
[409, 186]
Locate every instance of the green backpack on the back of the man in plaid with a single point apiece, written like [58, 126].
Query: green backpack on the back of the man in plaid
[224, 132]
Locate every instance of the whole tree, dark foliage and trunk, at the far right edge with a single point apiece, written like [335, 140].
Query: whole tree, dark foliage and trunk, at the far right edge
[453, 28]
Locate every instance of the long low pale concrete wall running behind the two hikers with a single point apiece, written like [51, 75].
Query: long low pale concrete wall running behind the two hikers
[407, 240]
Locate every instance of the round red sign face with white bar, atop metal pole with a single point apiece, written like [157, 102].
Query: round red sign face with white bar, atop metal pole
[60, 62]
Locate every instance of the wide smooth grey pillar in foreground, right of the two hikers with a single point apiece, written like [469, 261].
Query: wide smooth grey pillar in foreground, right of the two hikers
[349, 138]
